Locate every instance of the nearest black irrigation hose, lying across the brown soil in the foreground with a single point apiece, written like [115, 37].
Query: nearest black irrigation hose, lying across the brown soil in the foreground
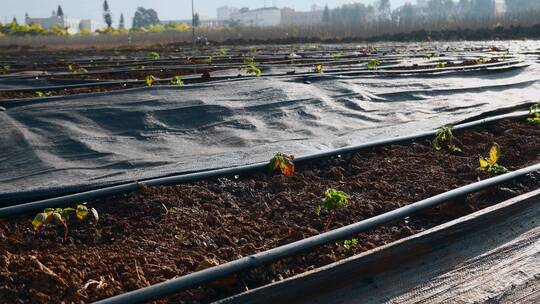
[246, 263]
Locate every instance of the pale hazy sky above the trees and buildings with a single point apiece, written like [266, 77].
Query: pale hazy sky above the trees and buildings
[167, 9]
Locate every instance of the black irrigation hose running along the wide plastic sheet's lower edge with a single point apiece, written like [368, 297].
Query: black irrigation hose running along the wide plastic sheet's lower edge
[17, 209]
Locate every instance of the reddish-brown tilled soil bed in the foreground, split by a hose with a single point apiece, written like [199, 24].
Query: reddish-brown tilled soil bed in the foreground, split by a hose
[160, 233]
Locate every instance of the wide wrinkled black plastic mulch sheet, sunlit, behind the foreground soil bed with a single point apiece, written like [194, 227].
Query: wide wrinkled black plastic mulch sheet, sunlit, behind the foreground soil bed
[57, 146]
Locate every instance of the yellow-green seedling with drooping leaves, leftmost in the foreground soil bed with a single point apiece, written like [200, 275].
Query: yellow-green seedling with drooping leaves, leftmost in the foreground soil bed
[61, 216]
